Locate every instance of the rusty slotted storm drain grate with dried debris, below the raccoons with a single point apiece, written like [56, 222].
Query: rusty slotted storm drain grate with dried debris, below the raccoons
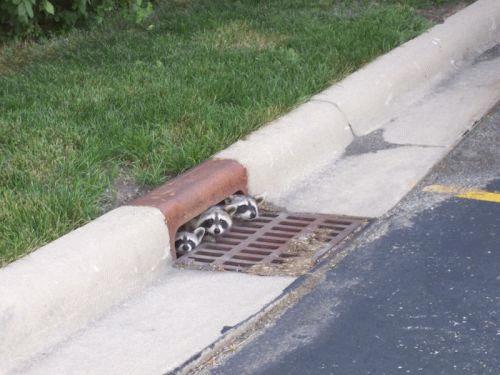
[272, 241]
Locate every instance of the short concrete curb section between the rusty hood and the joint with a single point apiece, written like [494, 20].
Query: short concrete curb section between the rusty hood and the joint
[283, 151]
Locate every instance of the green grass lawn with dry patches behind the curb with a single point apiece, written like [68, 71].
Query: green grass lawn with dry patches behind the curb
[121, 103]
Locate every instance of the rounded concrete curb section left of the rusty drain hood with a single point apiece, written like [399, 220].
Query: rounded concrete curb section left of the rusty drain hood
[64, 285]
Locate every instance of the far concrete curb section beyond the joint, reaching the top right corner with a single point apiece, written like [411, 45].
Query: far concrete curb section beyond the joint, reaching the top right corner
[416, 64]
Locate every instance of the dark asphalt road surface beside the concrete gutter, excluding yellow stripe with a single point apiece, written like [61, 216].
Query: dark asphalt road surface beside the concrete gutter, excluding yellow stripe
[419, 293]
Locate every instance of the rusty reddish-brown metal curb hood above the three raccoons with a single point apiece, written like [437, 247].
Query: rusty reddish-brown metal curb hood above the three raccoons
[188, 195]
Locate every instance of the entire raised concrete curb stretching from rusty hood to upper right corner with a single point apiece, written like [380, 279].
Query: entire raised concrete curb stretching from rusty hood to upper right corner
[316, 131]
